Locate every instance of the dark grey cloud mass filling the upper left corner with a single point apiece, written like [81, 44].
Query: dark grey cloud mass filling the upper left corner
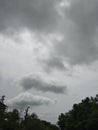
[39, 15]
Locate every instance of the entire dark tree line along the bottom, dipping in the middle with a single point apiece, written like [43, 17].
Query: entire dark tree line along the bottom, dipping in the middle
[82, 116]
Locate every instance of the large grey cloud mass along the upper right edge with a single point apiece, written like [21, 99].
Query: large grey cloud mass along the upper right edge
[80, 30]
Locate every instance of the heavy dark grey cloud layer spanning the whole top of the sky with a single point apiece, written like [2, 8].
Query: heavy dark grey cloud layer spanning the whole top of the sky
[78, 24]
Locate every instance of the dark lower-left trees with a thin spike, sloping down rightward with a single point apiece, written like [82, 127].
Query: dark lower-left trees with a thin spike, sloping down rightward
[12, 121]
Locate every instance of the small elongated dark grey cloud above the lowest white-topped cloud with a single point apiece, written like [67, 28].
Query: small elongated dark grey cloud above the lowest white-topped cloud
[40, 85]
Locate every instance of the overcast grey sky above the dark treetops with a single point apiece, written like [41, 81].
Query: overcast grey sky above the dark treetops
[48, 54]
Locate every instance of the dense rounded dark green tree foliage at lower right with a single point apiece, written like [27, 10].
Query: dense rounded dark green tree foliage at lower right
[83, 116]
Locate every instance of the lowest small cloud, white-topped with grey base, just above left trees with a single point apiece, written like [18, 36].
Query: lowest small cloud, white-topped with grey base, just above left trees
[27, 99]
